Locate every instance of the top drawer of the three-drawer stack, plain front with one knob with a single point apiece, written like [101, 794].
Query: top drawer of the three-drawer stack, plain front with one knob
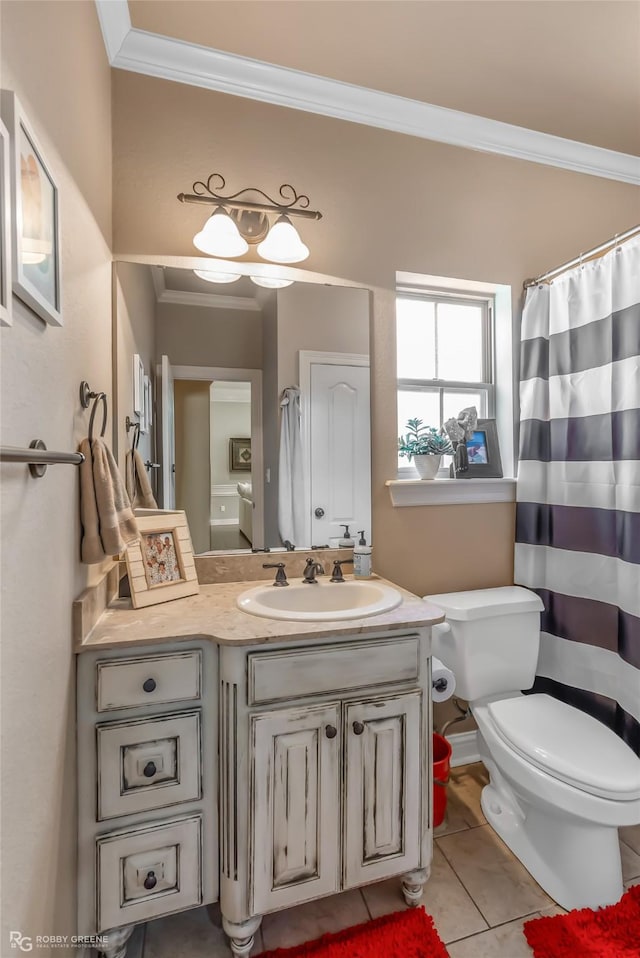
[148, 680]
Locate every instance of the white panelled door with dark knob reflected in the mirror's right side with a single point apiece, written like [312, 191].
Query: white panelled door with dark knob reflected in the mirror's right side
[340, 466]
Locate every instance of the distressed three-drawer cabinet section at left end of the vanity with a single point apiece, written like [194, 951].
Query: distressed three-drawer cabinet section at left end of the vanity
[147, 774]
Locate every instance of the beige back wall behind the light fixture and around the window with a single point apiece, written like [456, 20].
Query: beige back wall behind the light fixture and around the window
[389, 202]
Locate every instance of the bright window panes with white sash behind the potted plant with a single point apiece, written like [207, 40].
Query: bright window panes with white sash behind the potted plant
[445, 358]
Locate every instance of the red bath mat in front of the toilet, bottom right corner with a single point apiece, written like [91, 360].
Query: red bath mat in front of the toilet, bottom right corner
[611, 932]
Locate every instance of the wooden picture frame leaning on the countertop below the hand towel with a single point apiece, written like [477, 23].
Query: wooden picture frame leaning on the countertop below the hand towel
[160, 565]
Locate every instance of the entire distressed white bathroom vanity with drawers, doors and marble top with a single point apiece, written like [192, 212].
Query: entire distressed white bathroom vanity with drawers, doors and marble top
[262, 763]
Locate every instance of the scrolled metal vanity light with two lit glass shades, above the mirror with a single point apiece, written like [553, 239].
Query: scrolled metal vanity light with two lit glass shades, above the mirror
[239, 220]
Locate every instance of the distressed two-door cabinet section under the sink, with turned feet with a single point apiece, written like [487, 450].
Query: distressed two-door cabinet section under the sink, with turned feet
[324, 775]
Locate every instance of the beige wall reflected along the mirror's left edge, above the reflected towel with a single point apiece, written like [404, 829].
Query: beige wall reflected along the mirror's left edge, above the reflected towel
[134, 331]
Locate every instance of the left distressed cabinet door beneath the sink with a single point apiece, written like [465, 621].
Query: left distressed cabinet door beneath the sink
[295, 806]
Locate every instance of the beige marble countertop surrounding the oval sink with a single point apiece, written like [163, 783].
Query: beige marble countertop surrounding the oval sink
[213, 614]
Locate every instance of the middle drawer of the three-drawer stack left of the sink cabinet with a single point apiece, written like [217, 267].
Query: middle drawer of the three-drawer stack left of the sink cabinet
[148, 763]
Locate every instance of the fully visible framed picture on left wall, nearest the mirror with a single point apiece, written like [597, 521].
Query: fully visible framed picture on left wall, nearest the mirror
[35, 228]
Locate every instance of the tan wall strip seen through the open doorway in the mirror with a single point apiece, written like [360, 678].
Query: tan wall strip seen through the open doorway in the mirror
[193, 475]
